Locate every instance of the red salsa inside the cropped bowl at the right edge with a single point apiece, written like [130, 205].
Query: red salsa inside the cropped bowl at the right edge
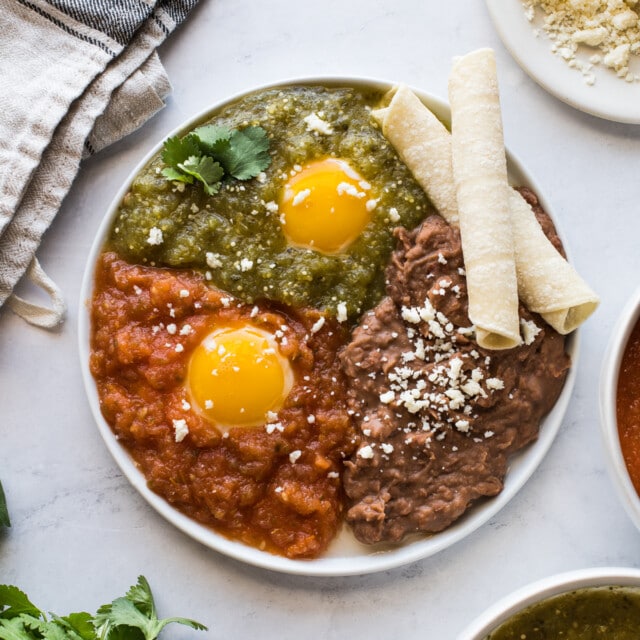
[628, 406]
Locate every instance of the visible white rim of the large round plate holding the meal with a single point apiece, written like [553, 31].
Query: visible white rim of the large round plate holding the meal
[345, 556]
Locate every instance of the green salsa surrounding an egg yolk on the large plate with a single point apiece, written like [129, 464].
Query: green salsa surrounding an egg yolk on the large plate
[235, 236]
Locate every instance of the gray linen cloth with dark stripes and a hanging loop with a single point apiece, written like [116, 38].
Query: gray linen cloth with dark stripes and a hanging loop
[75, 76]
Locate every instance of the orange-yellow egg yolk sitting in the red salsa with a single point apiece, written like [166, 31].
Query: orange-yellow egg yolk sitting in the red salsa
[237, 375]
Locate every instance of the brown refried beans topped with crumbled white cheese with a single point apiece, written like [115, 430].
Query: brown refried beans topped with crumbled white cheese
[439, 416]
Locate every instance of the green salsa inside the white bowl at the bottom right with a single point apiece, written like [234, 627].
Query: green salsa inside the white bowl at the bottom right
[593, 613]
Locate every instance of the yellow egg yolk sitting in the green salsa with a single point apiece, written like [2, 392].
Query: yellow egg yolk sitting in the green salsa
[325, 206]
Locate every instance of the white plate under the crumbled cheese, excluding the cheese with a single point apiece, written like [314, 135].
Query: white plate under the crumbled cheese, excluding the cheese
[610, 97]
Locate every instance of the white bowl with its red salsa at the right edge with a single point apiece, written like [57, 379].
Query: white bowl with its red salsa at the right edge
[620, 406]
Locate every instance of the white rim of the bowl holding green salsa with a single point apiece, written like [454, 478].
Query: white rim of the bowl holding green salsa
[546, 588]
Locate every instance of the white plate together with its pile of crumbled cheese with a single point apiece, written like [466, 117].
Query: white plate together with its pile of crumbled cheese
[584, 52]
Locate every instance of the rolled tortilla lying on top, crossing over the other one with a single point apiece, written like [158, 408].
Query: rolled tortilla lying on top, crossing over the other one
[480, 176]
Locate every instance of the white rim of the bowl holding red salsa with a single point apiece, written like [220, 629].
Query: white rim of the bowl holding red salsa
[608, 387]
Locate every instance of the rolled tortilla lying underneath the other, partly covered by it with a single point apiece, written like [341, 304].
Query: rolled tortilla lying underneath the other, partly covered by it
[547, 283]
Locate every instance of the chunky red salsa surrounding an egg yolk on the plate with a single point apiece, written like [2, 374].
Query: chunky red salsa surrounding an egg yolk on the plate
[275, 487]
